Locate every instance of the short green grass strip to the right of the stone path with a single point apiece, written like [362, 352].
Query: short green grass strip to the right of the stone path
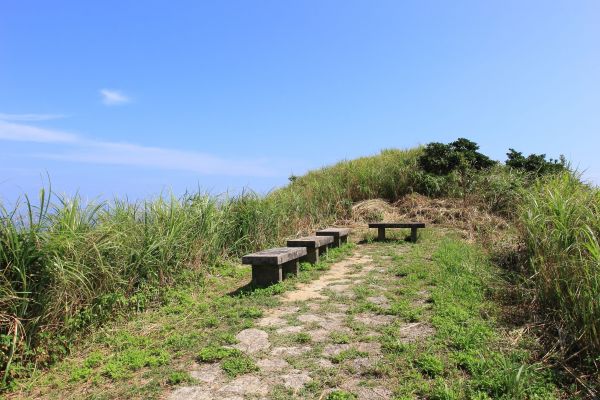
[467, 355]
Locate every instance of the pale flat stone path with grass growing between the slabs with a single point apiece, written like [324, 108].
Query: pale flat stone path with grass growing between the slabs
[322, 337]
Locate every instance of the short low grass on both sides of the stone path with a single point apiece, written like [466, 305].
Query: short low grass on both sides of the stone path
[471, 355]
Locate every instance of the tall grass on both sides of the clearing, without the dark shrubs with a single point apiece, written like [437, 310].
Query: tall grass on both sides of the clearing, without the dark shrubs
[69, 268]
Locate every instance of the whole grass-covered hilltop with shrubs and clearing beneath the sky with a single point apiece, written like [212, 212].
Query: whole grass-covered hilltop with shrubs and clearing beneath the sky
[125, 300]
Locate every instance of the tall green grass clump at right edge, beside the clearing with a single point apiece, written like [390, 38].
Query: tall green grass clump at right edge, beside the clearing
[561, 218]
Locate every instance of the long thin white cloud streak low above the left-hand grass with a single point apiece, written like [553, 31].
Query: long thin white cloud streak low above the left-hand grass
[82, 150]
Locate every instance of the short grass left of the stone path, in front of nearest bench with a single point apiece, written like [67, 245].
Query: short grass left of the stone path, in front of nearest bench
[139, 357]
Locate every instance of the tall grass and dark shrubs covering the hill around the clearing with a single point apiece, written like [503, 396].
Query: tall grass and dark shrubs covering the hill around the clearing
[69, 269]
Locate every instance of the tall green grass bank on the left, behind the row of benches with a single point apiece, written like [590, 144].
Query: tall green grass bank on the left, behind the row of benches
[66, 265]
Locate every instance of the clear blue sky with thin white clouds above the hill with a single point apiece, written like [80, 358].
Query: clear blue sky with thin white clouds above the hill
[129, 98]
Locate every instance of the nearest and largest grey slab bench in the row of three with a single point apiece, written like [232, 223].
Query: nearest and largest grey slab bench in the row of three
[274, 265]
